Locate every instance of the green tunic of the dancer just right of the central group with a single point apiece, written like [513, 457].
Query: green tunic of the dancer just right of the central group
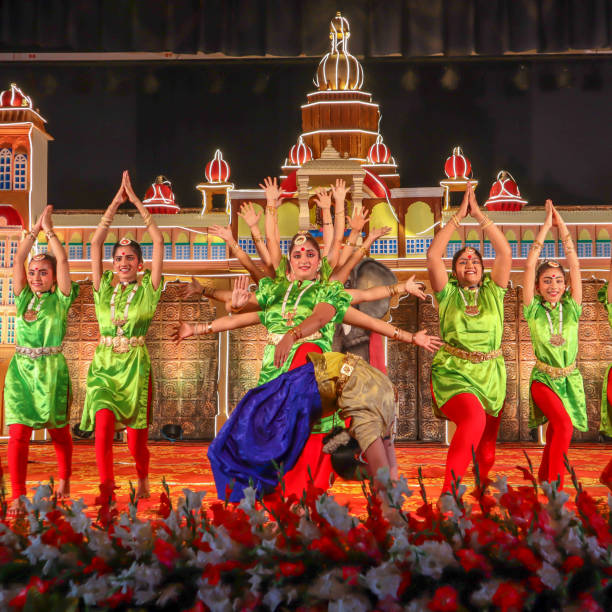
[452, 375]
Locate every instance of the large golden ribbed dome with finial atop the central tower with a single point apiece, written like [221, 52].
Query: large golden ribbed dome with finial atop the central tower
[339, 70]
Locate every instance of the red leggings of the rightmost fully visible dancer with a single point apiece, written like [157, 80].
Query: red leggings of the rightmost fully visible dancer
[558, 432]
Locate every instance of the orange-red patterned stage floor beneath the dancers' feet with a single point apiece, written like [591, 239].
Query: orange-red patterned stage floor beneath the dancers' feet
[184, 465]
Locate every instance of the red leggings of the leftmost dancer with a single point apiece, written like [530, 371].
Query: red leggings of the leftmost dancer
[18, 446]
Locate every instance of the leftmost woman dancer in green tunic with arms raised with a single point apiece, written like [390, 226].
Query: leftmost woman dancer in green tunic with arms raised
[37, 391]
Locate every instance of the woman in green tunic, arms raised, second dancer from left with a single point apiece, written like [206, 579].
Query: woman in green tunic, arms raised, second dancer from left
[119, 381]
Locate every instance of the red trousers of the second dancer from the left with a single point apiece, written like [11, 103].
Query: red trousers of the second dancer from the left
[137, 444]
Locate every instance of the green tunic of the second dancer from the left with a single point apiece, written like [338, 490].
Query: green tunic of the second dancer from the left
[120, 381]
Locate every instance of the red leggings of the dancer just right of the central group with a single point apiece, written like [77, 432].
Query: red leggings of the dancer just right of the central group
[475, 430]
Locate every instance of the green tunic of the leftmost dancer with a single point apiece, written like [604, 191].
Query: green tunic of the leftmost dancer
[37, 391]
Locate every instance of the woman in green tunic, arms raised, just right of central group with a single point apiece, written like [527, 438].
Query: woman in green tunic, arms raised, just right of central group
[468, 374]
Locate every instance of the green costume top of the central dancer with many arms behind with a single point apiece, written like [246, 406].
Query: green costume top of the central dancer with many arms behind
[286, 304]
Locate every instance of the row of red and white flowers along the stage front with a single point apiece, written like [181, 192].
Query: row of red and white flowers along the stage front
[508, 548]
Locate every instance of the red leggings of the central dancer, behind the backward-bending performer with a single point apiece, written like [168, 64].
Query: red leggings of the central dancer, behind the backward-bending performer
[312, 456]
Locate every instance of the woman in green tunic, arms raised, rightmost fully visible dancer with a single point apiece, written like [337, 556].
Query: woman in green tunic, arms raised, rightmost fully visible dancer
[556, 389]
